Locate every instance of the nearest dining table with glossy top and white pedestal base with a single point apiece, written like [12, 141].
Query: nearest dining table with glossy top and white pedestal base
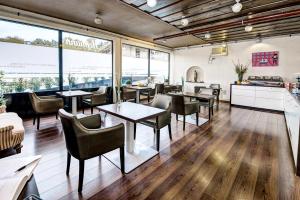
[136, 153]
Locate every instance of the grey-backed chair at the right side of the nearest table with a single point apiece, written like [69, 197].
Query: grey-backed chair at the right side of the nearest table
[162, 102]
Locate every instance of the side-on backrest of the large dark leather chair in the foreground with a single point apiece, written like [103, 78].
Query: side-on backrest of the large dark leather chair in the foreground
[68, 121]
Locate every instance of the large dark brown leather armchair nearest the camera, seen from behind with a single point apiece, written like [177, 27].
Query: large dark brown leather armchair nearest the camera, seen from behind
[86, 139]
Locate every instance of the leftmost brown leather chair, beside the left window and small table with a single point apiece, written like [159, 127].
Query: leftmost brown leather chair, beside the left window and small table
[44, 105]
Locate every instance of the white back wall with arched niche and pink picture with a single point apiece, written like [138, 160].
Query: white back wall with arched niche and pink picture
[221, 70]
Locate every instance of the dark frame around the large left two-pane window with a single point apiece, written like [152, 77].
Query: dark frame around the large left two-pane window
[60, 52]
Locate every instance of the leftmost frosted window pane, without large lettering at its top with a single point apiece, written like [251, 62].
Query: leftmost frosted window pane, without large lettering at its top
[28, 58]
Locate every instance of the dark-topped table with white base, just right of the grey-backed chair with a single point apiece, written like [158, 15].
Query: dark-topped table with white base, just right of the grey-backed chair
[198, 96]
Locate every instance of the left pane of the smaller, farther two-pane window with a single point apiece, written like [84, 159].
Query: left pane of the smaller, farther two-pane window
[134, 64]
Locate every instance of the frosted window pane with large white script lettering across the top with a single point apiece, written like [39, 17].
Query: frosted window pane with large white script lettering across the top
[87, 61]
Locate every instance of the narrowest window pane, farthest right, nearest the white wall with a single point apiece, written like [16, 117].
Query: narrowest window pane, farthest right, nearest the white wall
[159, 66]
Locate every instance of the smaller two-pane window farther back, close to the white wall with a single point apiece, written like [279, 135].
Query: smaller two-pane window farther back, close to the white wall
[136, 66]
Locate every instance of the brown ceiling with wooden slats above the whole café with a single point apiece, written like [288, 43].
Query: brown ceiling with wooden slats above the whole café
[162, 24]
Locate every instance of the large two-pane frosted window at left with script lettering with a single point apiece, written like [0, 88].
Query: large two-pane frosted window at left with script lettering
[30, 59]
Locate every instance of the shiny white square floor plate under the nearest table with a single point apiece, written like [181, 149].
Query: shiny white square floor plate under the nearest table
[140, 155]
